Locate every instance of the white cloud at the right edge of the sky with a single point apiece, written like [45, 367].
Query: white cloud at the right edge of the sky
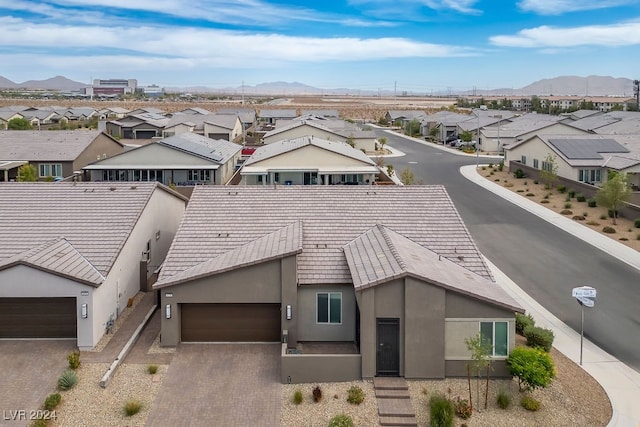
[624, 34]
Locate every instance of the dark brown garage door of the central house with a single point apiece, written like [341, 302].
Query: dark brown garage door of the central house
[230, 322]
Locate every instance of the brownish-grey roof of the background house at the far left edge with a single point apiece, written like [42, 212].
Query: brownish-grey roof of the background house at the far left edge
[53, 145]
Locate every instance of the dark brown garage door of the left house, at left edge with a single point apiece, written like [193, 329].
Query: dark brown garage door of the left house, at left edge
[38, 318]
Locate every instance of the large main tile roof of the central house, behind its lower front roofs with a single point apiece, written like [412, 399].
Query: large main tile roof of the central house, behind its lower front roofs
[331, 217]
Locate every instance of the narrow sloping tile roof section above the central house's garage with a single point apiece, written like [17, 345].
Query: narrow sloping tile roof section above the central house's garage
[283, 242]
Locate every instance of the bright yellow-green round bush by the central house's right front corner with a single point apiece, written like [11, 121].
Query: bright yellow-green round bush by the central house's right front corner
[532, 367]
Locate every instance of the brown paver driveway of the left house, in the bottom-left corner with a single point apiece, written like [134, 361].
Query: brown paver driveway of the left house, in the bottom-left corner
[30, 370]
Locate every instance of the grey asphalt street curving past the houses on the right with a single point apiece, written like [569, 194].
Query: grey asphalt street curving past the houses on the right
[543, 260]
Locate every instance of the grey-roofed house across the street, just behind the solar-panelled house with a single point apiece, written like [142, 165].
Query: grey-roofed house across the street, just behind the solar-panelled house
[494, 138]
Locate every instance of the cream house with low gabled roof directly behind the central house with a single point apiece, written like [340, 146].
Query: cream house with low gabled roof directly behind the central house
[308, 160]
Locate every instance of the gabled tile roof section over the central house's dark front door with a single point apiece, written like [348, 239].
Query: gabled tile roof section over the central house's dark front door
[380, 254]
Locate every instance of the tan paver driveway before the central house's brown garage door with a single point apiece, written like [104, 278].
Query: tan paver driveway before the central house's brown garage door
[220, 384]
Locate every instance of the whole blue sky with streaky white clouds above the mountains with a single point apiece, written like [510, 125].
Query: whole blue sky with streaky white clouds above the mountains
[423, 45]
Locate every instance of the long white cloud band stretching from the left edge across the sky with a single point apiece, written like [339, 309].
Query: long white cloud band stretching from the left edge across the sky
[212, 46]
